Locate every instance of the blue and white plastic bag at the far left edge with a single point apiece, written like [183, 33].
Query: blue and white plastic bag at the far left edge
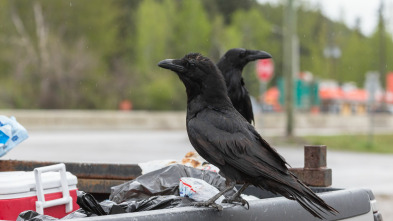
[12, 133]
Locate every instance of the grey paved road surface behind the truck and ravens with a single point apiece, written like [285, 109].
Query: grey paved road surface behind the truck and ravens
[373, 171]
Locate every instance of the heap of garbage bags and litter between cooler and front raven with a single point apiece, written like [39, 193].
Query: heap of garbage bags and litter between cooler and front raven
[169, 186]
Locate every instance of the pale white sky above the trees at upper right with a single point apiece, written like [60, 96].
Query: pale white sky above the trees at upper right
[349, 10]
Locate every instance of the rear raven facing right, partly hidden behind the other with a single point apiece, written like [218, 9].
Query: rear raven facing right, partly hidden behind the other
[231, 66]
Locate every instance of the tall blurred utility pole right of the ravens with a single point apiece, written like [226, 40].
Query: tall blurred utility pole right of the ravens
[290, 53]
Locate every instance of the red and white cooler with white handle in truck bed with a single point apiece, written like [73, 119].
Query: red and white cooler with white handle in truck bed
[18, 193]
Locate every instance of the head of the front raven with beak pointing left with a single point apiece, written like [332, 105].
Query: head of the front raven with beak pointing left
[199, 75]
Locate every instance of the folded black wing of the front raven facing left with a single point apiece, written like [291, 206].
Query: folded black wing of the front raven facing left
[225, 137]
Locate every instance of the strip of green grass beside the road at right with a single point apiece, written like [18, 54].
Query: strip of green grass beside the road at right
[360, 143]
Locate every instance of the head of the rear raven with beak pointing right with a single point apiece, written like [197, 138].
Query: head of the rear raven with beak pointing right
[239, 57]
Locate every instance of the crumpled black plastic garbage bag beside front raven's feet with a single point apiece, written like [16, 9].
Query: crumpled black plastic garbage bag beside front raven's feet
[164, 181]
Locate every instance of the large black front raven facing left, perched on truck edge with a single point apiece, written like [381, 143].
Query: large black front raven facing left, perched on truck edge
[224, 138]
